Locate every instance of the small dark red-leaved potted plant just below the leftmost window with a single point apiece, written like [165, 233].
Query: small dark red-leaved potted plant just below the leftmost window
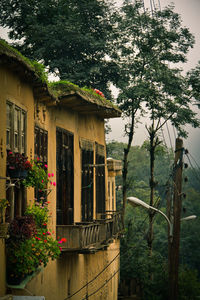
[18, 165]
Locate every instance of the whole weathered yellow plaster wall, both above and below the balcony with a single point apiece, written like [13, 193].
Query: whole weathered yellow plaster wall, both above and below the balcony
[70, 269]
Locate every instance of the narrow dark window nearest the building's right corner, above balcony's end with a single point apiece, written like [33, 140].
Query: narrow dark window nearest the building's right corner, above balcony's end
[100, 180]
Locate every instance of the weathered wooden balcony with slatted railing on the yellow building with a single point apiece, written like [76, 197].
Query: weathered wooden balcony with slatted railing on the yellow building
[93, 236]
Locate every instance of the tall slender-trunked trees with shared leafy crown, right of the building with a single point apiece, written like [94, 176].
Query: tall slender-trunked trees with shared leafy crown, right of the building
[146, 46]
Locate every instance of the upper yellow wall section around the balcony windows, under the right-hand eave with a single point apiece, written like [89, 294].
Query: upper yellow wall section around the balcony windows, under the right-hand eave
[82, 126]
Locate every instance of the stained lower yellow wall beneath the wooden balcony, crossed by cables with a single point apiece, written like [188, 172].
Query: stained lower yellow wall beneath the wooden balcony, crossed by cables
[77, 270]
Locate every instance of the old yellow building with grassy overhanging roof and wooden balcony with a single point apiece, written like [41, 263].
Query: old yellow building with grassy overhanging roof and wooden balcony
[64, 127]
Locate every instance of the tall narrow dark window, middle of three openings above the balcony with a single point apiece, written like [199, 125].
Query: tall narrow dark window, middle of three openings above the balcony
[87, 158]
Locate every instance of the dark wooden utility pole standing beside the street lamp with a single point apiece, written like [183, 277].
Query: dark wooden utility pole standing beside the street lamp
[177, 205]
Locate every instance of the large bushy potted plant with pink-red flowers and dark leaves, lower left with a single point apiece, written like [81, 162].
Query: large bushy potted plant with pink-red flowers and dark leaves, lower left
[30, 244]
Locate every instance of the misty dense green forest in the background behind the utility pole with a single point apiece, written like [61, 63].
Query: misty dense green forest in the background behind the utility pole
[136, 264]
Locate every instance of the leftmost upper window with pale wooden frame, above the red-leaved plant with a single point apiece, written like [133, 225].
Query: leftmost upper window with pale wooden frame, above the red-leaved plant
[15, 128]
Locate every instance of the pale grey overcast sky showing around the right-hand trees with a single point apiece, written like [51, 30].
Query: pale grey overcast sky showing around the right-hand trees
[189, 11]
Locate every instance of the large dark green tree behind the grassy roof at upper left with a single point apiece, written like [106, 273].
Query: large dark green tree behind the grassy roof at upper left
[70, 37]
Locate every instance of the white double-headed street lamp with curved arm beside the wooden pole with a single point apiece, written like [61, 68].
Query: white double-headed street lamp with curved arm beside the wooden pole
[137, 202]
